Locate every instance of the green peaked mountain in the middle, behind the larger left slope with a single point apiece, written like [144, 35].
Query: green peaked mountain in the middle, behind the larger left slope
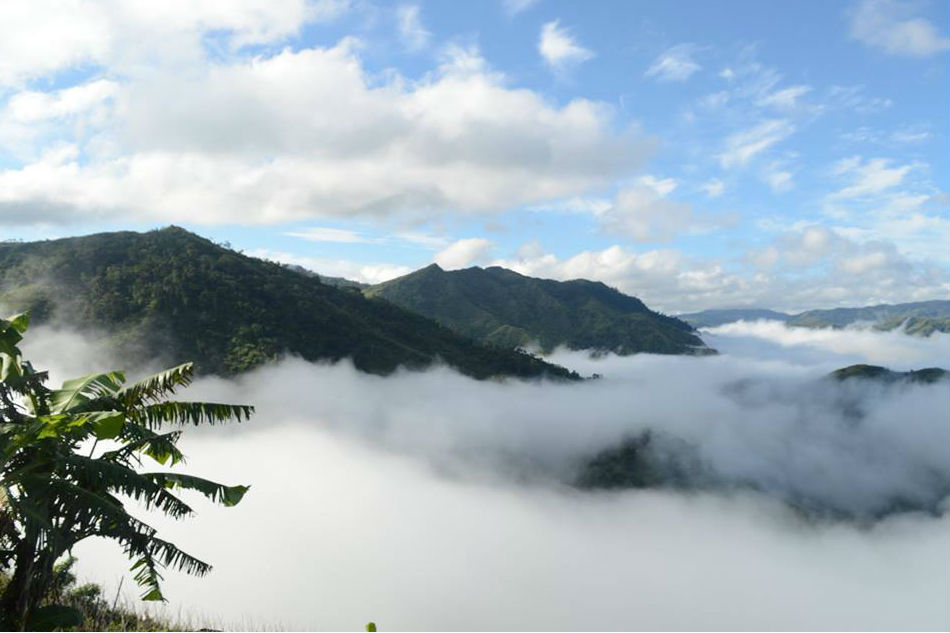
[501, 307]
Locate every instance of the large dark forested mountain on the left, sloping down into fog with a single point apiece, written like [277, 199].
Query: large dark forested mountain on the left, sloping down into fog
[172, 293]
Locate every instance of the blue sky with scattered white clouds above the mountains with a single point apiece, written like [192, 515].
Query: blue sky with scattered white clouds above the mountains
[787, 155]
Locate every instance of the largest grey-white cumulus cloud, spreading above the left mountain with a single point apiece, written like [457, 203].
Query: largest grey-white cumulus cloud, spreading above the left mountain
[329, 139]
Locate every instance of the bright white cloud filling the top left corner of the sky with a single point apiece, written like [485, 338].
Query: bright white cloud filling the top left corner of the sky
[44, 36]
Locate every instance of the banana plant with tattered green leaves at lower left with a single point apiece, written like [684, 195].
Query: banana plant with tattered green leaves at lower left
[56, 491]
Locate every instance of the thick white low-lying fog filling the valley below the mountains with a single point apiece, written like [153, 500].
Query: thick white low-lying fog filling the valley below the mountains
[431, 501]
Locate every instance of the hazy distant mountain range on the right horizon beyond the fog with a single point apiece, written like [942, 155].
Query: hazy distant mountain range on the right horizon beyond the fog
[920, 318]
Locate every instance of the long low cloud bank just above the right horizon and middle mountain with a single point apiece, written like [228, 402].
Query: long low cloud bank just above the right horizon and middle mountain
[804, 268]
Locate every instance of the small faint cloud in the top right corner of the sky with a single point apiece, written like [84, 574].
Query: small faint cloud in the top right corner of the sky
[890, 26]
